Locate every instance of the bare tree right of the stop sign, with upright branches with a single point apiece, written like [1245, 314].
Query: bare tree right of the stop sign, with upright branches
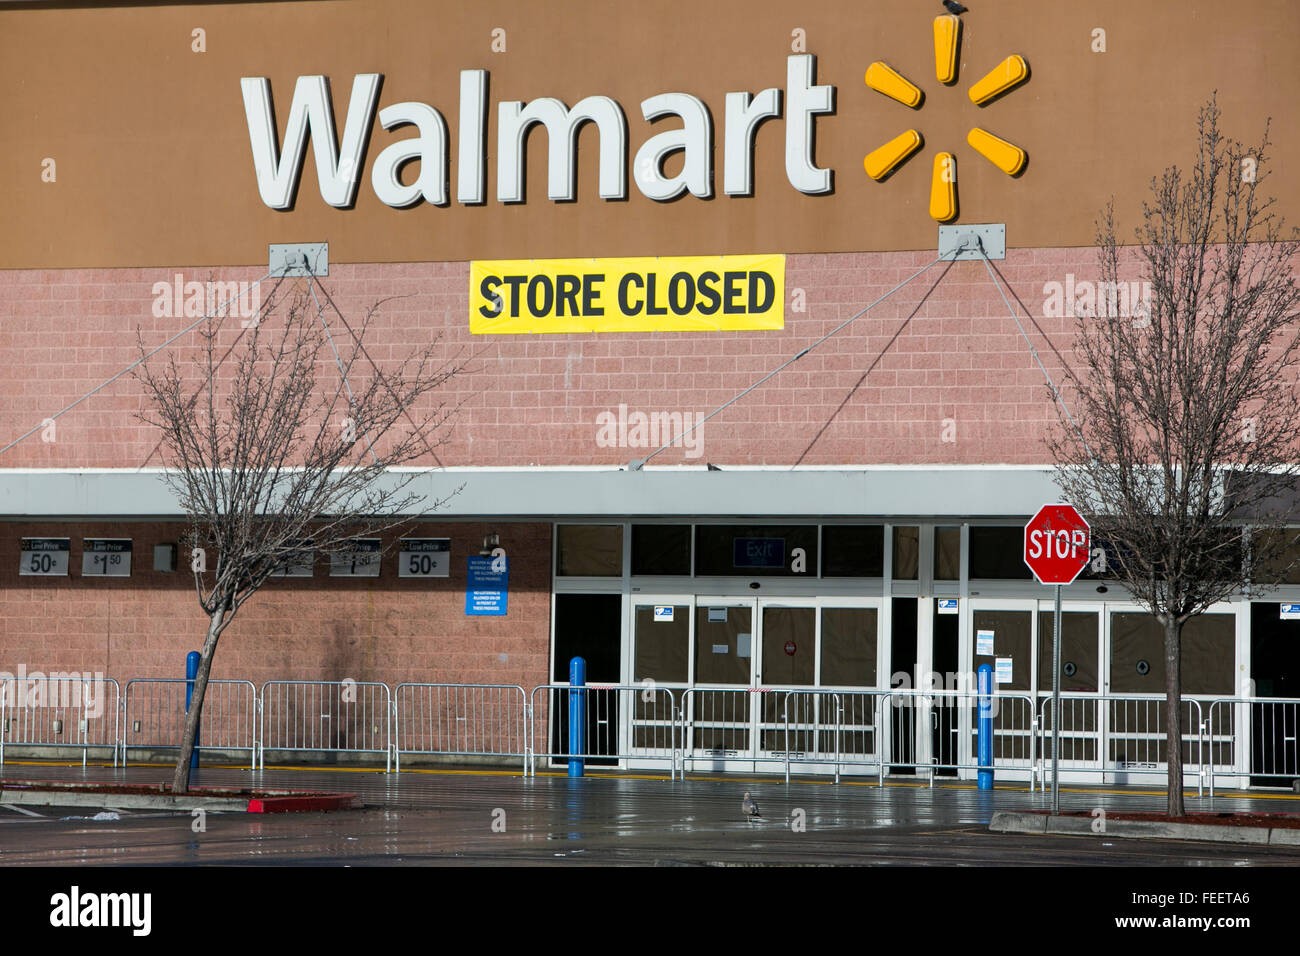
[1185, 448]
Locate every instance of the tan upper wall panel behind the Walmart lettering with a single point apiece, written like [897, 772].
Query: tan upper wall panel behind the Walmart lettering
[154, 163]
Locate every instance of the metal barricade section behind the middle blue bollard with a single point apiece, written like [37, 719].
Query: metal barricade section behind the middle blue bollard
[626, 724]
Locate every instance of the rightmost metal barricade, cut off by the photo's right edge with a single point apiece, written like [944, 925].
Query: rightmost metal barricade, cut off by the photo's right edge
[1255, 741]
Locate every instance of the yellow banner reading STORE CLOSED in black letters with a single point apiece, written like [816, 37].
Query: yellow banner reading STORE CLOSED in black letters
[653, 295]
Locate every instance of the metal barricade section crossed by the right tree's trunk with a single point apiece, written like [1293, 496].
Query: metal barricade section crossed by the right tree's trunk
[1119, 737]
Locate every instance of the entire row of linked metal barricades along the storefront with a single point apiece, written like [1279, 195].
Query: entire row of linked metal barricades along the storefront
[1253, 742]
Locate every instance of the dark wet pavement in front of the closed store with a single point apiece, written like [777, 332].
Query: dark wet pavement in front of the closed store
[502, 819]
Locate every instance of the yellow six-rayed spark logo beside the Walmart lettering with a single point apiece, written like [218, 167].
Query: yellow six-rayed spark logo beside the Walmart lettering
[943, 188]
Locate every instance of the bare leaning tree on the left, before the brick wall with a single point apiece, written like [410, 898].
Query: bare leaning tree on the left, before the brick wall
[279, 435]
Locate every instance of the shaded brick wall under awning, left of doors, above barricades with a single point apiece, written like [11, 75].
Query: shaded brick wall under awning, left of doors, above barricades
[387, 630]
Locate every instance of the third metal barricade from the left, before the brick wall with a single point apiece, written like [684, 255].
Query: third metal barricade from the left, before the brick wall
[326, 717]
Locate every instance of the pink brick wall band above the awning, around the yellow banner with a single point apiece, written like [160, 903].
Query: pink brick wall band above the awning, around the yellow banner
[534, 400]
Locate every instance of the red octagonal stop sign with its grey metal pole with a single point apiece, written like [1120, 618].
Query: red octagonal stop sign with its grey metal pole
[1056, 548]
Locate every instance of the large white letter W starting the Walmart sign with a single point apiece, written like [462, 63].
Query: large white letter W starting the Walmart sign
[278, 176]
